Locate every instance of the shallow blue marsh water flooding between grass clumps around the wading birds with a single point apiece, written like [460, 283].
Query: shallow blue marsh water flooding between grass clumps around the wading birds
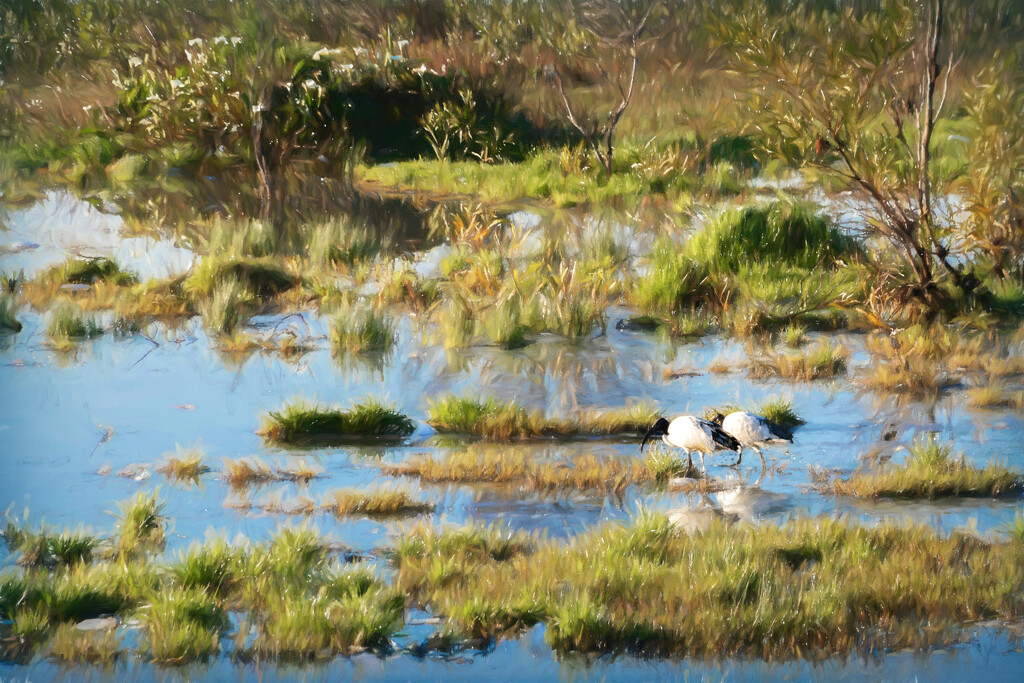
[70, 423]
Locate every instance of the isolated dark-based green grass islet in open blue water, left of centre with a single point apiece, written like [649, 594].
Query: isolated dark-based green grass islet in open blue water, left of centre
[301, 422]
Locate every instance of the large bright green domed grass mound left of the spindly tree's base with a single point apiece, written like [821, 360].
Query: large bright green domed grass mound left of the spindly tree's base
[779, 233]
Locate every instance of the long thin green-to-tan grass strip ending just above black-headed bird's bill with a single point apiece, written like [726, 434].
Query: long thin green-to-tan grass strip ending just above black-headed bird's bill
[497, 419]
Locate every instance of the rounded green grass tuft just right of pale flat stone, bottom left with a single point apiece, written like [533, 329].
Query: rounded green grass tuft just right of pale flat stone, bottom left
[182, 626]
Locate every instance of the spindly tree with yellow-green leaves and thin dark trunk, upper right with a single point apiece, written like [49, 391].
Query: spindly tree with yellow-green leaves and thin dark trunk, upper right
[858, 96]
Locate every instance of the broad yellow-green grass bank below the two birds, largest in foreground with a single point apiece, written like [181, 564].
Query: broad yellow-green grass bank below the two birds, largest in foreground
[812, 587]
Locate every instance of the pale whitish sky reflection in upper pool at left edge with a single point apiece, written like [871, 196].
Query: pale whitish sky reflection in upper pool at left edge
[63, 226]
